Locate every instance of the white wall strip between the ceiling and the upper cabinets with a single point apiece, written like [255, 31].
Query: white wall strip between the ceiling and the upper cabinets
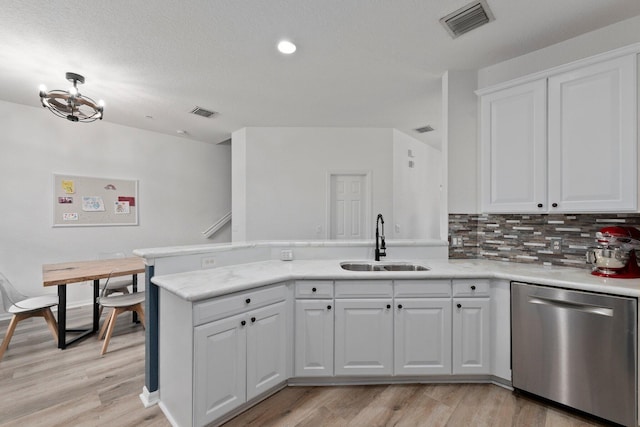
[599, 41]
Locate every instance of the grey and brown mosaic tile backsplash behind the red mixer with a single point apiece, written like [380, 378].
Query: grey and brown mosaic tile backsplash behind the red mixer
[552, 239]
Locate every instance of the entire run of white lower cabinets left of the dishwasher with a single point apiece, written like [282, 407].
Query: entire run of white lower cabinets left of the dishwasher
[243, 343]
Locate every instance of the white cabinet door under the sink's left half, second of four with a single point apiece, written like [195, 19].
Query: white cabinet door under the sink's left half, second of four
[364, 337]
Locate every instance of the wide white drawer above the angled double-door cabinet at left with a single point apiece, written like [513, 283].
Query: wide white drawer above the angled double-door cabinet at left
[217, 308]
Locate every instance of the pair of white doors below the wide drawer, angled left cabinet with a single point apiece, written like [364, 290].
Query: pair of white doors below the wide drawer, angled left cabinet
[237, 358]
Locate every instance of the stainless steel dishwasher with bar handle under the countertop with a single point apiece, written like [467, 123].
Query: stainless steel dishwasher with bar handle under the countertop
[576, 348]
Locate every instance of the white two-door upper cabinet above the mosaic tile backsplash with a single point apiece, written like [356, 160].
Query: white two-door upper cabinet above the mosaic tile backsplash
[566, 143]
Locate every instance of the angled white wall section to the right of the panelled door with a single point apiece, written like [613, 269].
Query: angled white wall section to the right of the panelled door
[416, 194]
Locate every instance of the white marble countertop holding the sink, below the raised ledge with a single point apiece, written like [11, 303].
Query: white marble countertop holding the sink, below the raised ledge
[203, 284]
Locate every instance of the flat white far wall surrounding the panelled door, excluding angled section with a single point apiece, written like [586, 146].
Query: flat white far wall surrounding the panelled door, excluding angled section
[286, 177]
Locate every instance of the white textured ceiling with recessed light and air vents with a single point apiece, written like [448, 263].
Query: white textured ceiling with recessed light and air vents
[359, 63]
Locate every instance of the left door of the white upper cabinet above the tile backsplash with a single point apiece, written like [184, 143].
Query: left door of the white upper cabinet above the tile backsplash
[513, 154]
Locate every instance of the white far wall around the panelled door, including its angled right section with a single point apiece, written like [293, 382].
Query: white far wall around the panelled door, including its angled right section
[286, 176]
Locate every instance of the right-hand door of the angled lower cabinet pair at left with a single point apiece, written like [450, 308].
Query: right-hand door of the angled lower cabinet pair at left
[266, 348]
